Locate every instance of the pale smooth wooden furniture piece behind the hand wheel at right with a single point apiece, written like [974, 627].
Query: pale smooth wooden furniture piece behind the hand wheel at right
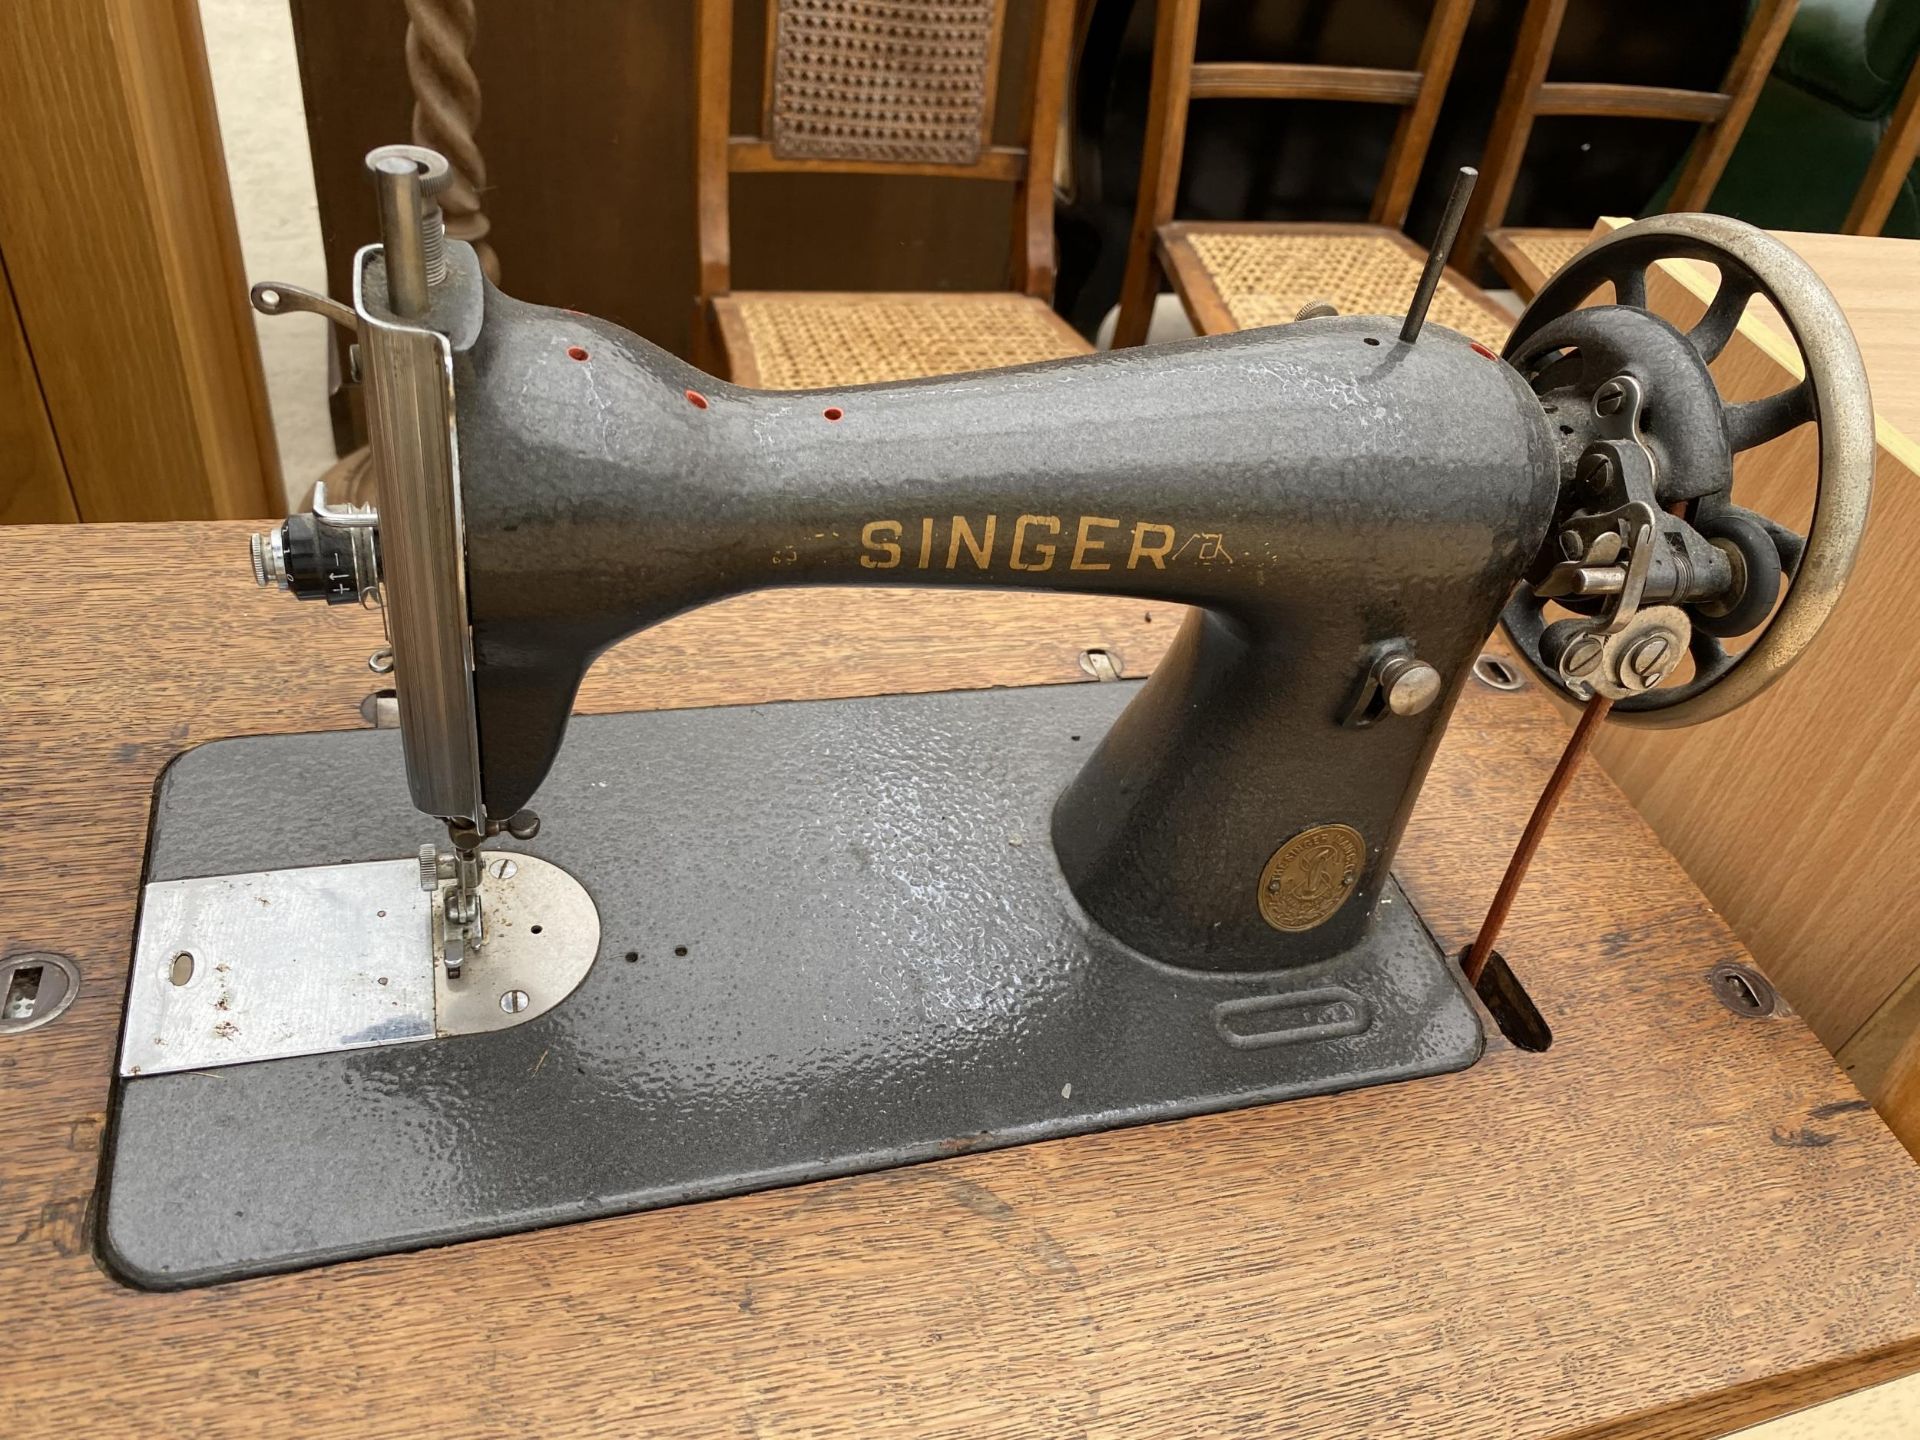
[1800, 813]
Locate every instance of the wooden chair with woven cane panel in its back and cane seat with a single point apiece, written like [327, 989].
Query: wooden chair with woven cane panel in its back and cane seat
[878, 87]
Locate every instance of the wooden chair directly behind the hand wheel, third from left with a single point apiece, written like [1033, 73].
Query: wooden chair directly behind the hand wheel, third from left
[1527, 256]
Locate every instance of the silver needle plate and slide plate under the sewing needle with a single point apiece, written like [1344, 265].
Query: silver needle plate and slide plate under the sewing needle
[285, 963]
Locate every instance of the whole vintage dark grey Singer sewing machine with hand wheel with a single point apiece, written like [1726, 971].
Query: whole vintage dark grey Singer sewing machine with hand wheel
[761, 946]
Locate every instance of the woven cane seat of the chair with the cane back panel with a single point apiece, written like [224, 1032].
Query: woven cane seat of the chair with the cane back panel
[796, 341]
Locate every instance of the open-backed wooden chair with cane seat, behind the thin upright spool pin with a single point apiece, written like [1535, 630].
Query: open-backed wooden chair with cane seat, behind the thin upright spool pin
[1241, 276]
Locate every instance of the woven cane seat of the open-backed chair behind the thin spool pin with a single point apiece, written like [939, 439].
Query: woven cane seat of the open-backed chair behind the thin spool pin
[1239, 277]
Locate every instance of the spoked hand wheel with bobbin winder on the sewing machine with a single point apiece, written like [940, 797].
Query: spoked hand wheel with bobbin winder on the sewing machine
[1631, 393]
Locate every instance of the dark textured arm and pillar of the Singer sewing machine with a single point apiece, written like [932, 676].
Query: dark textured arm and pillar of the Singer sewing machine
[1362, 491]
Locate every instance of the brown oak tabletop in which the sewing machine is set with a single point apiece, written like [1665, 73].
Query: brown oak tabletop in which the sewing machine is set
[1671, 1224]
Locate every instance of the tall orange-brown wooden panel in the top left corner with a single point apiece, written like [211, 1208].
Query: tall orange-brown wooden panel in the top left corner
[126, 262]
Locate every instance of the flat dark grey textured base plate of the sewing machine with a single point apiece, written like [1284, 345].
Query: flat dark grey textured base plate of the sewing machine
[834, 938]
